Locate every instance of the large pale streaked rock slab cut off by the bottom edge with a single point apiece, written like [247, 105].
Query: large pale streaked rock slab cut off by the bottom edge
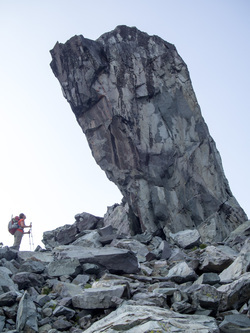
[152, 318]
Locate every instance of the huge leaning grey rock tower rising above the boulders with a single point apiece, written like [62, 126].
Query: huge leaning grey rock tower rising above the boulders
[132, 96]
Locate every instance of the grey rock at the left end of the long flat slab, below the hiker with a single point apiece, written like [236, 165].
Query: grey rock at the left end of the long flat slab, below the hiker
[61, 267]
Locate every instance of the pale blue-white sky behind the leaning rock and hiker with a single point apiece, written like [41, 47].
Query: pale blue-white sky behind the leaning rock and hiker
[47, 170]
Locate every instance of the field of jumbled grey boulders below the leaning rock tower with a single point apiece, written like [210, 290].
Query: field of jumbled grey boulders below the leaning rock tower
[104, 281]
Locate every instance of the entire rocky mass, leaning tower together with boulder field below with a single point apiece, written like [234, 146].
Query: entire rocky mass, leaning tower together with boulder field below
[174, 255]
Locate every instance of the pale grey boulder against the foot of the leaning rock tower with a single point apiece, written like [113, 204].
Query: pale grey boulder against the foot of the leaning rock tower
[186, 239]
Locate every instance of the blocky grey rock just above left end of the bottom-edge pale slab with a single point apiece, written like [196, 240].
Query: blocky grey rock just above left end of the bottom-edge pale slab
[98, 298]
